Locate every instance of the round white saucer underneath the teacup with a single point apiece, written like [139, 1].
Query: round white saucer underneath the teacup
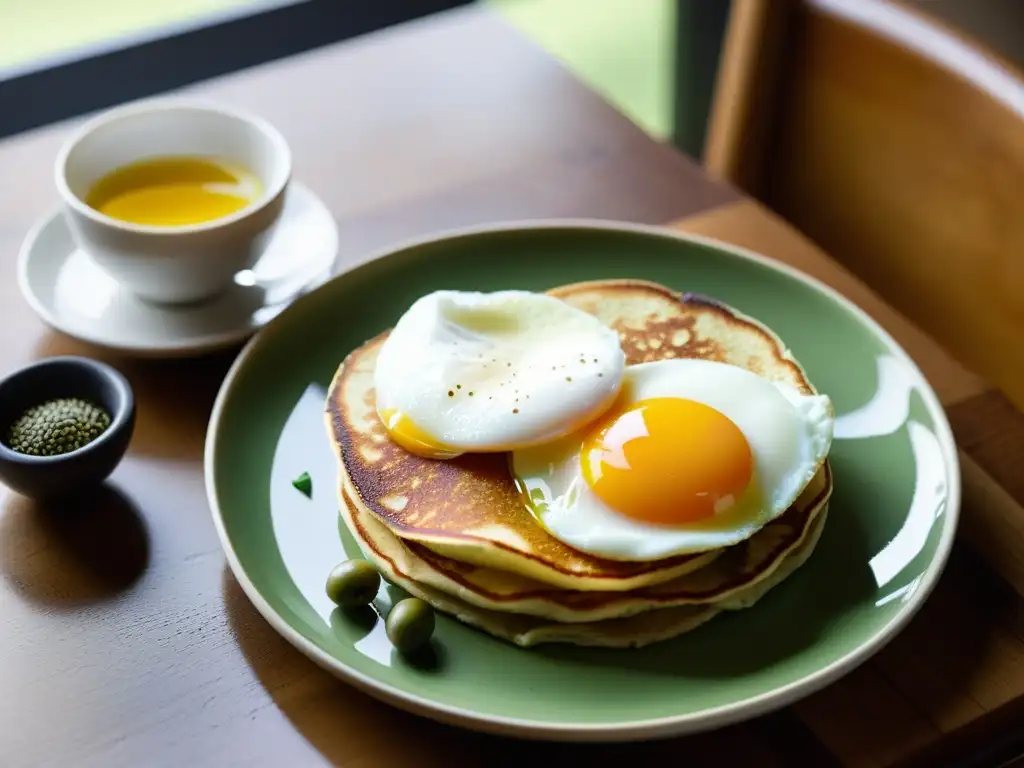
[72, 294]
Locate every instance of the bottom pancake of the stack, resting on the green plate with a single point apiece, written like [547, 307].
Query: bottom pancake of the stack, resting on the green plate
[397, 561]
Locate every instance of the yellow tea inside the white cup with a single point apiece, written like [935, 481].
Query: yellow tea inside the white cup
[175, 191]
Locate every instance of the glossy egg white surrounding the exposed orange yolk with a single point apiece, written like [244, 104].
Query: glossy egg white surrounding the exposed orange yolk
[790, 435]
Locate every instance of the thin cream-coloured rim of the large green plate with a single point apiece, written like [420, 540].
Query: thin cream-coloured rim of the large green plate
[672, 726]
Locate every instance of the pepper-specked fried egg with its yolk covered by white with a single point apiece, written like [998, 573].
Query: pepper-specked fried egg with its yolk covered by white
[468, 372]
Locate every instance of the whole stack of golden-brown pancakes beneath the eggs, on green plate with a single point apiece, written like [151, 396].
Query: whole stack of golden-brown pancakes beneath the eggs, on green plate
[458, 535]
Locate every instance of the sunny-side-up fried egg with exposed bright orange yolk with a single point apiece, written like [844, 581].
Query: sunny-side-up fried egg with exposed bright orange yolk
[693, 456]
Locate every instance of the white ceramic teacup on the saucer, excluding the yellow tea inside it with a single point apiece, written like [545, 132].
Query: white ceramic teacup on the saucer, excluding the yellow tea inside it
[174, 265]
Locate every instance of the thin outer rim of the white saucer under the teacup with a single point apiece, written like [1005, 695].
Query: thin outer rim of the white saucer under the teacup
[177, 349]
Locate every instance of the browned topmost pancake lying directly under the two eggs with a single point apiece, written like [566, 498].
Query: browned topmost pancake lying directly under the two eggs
[468, 509]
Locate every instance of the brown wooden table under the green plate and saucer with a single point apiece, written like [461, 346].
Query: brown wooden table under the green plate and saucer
[125, 639]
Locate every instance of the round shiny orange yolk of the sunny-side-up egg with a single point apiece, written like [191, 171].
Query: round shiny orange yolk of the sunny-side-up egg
[667, 461]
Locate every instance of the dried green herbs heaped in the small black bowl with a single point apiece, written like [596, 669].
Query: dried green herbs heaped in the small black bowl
[58, 428]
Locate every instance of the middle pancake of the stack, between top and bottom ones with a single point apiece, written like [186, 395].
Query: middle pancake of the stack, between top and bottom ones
[739, 568]
